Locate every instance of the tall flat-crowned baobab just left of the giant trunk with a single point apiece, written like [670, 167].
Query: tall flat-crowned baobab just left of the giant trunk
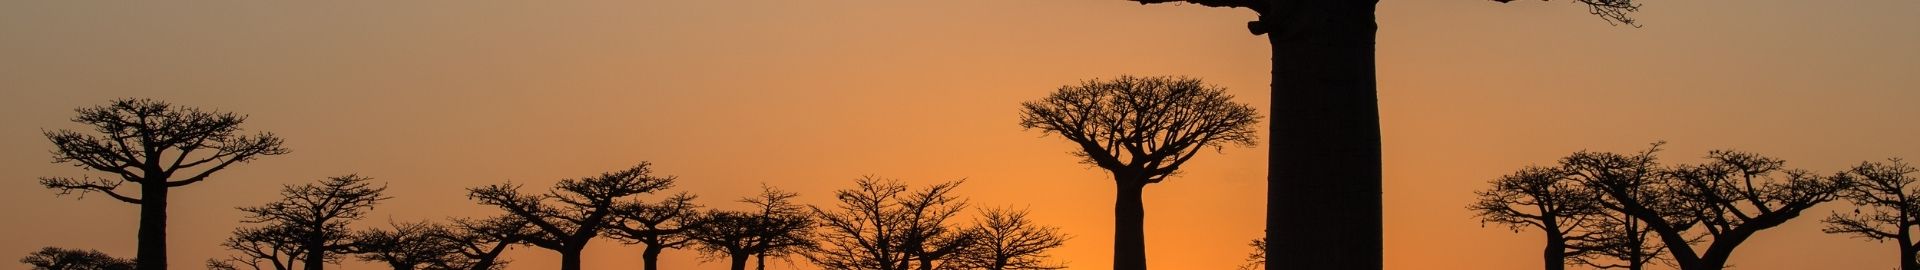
[1141, 129]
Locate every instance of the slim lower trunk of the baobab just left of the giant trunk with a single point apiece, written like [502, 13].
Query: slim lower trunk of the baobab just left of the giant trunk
[1130, 236]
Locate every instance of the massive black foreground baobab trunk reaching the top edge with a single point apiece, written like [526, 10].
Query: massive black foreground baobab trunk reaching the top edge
[1324, 168]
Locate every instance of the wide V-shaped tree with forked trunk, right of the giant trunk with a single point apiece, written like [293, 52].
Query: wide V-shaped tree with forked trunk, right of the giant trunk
[1719, 204]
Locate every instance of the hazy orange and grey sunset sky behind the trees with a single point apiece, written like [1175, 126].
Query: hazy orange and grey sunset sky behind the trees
[437, 97]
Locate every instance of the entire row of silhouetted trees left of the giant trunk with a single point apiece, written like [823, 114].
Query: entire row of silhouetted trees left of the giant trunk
[1140, 129]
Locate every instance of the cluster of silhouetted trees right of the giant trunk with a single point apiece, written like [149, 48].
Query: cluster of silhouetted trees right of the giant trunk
[1629, 212]
